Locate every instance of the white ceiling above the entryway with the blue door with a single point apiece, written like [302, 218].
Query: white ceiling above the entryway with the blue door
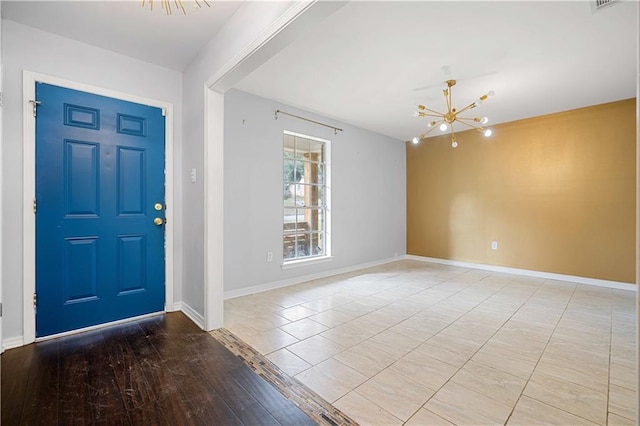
[124, 26]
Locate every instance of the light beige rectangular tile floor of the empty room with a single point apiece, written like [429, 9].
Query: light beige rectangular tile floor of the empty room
[419, 343]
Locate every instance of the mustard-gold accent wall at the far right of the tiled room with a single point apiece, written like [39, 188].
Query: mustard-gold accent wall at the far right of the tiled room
[557, 192]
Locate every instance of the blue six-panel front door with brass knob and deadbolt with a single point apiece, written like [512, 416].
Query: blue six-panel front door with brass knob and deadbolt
[99, 188]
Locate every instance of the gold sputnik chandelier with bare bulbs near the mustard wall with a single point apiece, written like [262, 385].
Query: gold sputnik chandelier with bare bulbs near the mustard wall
[444, 121]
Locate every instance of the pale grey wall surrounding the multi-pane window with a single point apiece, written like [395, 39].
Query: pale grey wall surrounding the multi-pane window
[367, 192]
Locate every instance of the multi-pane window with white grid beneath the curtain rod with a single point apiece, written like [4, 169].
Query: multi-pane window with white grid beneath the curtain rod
[306, 197]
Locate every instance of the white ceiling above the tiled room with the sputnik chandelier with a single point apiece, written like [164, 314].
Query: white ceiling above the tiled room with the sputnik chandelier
[365, 62]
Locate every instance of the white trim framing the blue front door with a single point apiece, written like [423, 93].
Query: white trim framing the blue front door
[29, 80]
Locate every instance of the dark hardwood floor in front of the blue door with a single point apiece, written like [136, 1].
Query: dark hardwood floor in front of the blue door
[157, 371]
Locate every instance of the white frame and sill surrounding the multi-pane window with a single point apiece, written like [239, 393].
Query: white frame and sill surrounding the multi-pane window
[296, 262]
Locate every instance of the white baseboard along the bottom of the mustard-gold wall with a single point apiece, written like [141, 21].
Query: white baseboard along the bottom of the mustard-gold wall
[526, 272]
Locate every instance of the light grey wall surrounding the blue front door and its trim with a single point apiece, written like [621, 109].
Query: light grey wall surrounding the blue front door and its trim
[25, 48]
